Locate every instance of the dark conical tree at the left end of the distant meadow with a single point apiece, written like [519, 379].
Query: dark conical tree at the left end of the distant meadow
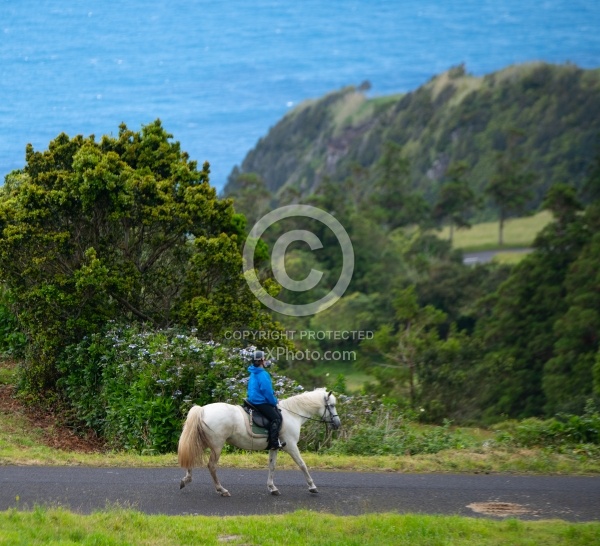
[456, 199]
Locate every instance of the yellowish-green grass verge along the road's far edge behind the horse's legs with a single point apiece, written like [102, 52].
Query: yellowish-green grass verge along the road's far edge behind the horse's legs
[20, 444]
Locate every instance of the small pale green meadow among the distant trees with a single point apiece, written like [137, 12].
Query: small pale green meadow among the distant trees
[518, 233]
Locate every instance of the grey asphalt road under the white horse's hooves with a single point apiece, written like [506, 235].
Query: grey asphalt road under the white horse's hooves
[156, 491]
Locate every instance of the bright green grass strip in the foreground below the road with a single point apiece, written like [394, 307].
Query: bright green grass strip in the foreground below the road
[119, 526]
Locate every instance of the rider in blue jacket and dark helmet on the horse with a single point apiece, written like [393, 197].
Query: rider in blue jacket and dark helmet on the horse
[260, 395]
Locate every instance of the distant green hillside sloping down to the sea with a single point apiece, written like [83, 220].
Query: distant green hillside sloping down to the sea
[454, 117]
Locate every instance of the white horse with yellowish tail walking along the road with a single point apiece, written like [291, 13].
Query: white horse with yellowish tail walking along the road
[214, 425]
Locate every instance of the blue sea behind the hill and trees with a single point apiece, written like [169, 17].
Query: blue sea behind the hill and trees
[220, 74]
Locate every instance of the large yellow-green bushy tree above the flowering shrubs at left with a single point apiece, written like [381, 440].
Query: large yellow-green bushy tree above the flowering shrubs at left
[126, 228]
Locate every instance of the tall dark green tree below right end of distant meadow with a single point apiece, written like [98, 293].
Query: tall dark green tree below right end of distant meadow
[519, 334]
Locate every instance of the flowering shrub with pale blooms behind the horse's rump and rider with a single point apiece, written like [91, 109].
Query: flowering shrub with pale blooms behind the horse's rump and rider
[134, 386]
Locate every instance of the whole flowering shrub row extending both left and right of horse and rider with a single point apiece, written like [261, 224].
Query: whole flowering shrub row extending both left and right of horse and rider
[134, 387]
